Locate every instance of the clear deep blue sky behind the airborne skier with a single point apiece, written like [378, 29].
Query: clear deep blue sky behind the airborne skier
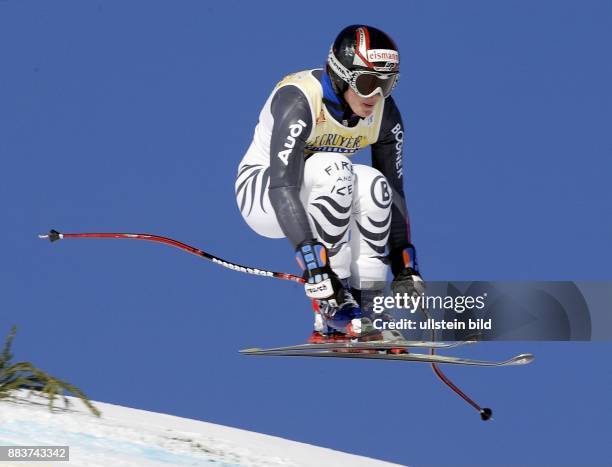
[133, 116]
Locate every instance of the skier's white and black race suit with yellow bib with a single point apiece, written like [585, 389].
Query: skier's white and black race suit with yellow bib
[296, 180]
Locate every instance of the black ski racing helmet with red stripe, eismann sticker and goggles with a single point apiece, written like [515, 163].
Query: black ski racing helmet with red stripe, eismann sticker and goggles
[365, 59]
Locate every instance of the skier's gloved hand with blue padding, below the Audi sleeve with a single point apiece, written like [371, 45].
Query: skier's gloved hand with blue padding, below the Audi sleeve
[321, 282]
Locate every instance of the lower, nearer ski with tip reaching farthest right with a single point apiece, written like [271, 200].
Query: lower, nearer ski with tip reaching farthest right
[521, 359]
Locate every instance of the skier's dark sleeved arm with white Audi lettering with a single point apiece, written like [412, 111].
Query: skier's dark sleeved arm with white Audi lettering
[292, 125]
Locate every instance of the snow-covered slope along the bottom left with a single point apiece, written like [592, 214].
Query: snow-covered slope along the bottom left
[131, 437]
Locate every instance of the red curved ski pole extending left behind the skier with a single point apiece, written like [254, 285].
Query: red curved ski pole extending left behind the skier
[54, 235]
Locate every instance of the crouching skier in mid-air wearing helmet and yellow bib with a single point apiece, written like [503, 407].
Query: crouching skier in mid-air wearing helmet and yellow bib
[347, 222]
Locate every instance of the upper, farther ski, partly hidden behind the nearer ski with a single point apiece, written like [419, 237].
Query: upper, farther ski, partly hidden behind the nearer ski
[367, 345]
